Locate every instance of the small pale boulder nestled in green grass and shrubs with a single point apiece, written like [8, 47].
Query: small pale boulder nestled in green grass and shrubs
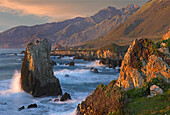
[155, 90]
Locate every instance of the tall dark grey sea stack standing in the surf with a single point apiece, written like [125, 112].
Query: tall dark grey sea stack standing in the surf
[37, 77]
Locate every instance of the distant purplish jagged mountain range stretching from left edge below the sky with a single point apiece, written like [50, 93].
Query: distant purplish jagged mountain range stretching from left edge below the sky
[69, 32]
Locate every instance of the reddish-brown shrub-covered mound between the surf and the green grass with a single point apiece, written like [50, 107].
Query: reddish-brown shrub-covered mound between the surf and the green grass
[105, 100]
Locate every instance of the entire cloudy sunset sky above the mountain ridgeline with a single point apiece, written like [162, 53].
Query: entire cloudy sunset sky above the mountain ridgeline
[31, 12]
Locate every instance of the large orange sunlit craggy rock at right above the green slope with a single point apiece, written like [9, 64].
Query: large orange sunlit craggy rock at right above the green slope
[142, 62]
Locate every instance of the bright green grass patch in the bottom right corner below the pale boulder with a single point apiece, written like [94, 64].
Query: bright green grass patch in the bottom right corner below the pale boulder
[158, 105]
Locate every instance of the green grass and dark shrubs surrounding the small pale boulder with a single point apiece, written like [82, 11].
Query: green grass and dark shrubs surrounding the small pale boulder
[140, 104]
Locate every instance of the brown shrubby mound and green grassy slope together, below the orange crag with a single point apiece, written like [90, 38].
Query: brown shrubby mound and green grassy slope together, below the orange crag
[112, 100]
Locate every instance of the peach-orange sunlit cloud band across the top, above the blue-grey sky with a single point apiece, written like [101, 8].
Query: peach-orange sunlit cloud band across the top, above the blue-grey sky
[57, 10]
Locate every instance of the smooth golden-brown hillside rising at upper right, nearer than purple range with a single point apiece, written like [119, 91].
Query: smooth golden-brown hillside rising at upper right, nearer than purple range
[150, 21]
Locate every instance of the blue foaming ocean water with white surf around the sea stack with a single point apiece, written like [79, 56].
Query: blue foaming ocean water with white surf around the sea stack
[79, 83]
